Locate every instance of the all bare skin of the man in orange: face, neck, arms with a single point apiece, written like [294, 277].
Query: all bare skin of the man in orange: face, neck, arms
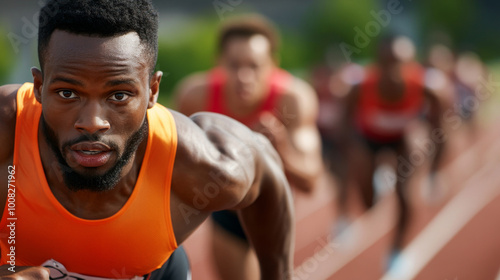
[103, 87]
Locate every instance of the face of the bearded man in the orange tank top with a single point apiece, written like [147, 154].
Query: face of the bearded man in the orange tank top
[94, 94]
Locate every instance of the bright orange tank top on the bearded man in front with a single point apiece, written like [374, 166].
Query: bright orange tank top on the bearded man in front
[136, 240]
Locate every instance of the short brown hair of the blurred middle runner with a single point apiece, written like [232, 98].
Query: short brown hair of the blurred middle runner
[247, 26]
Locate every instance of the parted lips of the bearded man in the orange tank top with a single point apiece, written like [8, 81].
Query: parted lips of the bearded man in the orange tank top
[91, 154]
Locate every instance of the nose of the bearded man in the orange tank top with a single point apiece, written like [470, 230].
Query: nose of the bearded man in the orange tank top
[92, 119]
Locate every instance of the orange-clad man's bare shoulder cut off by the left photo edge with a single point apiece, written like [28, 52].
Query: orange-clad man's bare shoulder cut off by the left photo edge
[8, 110]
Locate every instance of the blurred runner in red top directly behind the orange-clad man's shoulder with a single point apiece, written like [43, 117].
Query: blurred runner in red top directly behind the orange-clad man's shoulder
[248, 86]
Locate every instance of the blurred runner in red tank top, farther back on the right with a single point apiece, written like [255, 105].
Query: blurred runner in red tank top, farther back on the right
[381, 110]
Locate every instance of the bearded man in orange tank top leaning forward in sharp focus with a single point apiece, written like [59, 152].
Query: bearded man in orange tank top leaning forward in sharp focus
[103, 183]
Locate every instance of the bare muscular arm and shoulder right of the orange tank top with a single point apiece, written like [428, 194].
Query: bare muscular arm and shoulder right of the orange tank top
[234, 168]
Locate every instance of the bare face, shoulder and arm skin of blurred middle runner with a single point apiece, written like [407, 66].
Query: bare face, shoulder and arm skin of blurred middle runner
[248, 63]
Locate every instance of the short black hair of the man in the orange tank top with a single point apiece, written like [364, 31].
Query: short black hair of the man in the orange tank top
[100, 18]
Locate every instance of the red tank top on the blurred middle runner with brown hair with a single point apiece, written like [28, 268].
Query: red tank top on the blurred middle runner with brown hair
[278, 81]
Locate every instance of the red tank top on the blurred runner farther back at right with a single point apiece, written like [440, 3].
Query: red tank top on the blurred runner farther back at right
[382, 121]
